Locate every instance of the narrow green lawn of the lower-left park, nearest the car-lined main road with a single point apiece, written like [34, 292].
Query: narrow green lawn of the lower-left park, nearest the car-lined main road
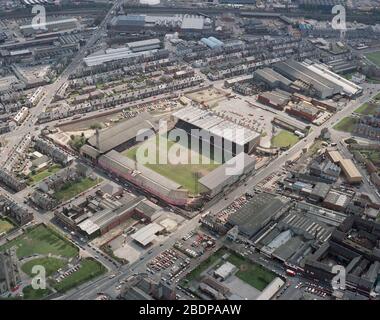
[89, 269]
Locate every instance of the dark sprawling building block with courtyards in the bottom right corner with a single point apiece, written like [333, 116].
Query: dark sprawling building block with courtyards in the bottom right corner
[355, 244]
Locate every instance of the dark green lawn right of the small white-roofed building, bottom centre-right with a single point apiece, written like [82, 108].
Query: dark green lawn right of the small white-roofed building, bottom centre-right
[253, 274]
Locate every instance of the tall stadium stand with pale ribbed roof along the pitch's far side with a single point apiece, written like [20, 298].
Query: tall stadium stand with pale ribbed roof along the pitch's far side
[215, 131]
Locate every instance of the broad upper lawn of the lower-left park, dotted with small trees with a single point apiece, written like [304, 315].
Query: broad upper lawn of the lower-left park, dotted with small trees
[42, 240]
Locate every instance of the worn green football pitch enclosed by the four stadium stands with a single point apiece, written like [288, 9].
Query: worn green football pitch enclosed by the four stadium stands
[187, 175]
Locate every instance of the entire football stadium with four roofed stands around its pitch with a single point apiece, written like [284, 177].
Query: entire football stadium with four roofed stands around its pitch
[171, 163]
